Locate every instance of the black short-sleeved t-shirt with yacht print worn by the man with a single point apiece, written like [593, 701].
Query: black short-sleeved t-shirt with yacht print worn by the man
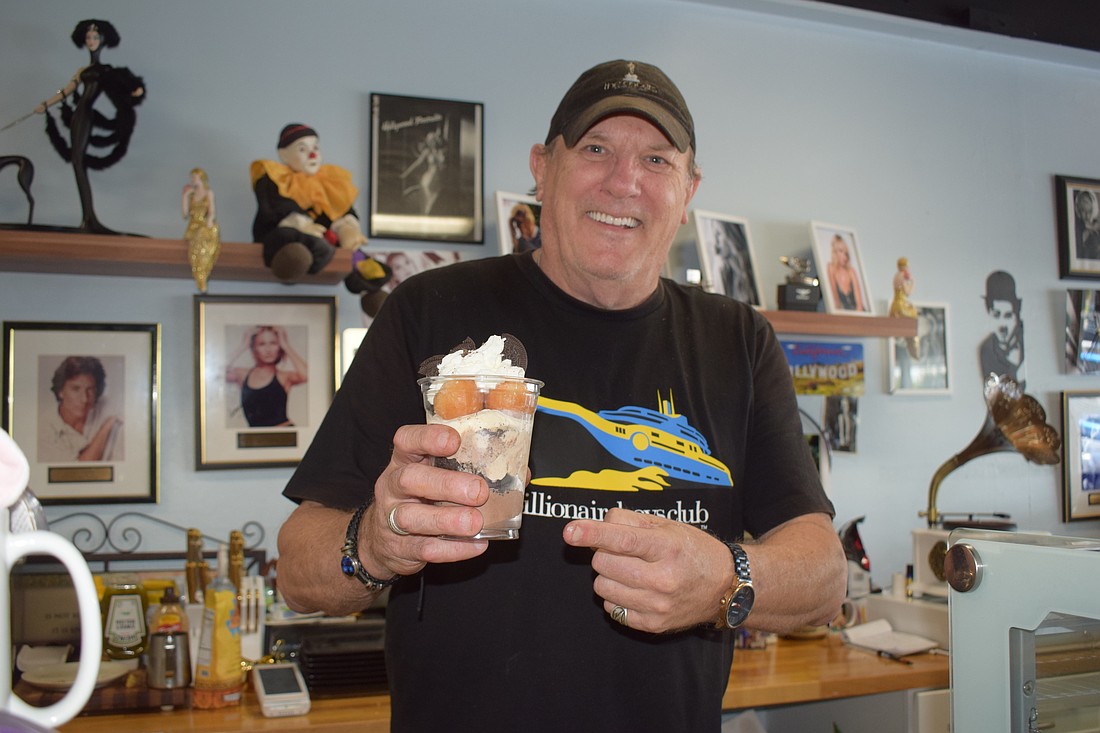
[683, 407]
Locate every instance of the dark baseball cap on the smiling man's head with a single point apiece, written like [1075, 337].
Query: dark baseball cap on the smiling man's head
[624, 87]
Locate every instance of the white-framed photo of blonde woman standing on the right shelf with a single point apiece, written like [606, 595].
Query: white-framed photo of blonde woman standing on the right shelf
[841, 270]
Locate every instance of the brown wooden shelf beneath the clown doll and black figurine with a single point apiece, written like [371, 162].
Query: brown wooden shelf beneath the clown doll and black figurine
[71, 254]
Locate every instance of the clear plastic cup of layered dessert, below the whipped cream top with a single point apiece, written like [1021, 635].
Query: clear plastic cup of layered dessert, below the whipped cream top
[494, 415]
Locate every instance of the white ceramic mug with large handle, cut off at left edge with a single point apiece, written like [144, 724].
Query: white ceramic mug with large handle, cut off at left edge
[15, 474]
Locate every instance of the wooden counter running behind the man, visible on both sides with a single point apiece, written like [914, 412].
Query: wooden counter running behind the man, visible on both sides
[789, 672]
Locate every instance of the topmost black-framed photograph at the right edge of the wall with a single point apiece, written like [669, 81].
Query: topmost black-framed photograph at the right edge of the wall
[1077, 202]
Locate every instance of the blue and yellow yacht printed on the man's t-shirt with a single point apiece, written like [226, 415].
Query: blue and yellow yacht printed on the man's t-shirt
[655, 441]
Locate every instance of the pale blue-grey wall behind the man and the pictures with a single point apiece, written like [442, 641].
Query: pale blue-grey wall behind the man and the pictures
[933, 151]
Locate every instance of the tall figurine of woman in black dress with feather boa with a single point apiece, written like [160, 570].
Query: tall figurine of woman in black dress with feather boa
[89, 128]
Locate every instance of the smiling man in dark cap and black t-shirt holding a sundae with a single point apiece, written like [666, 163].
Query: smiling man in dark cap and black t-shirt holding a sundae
[613, 610]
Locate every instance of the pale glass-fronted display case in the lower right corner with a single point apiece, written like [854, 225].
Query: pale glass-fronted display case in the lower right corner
[1025, 631]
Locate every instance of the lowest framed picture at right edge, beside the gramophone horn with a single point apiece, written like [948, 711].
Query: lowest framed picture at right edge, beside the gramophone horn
[1081, 460]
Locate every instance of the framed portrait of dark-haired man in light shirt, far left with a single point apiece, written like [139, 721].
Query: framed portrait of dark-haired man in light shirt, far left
[82, 402]
